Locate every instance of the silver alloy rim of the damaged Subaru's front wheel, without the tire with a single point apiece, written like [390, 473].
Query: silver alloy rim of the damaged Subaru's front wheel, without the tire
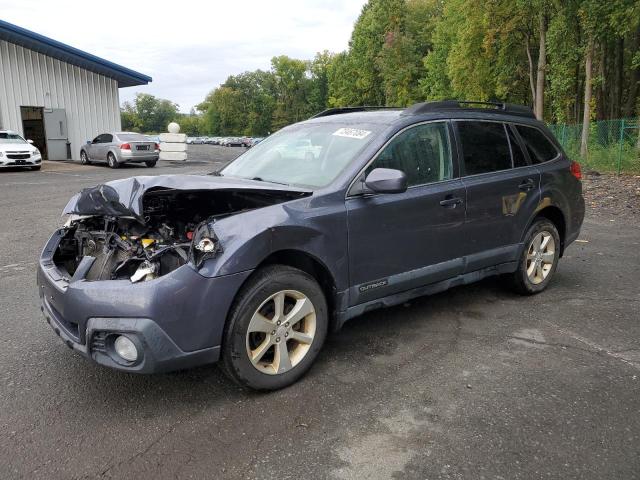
[281, 332]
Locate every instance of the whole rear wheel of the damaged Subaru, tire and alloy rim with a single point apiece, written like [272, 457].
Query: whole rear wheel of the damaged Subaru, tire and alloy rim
[539, 259]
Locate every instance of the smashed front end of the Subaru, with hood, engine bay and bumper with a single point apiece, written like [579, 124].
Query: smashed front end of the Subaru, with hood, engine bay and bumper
[126, 264]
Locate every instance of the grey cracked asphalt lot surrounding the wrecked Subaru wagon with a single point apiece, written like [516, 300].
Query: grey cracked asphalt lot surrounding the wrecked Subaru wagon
[472, 383]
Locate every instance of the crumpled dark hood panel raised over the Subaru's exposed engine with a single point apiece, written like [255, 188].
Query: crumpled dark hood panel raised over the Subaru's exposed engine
[123, 198]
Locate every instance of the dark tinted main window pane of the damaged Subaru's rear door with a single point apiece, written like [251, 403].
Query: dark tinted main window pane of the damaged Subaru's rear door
[485, 147]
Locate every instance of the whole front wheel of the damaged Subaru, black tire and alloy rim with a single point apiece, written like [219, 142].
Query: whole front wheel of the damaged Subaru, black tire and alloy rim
[276, 328]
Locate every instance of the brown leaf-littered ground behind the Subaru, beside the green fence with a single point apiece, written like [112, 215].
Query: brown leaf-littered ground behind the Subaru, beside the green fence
[612, 196]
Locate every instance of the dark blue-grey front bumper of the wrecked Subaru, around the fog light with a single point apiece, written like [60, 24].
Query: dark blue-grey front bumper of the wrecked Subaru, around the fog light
[176, 321]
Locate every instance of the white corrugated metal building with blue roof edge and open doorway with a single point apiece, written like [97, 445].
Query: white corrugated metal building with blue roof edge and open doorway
[56, 95]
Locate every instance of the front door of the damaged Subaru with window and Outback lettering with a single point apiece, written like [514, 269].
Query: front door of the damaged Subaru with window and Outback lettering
[402, 241]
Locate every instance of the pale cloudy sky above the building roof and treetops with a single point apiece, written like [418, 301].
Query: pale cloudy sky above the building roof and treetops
[189, 48]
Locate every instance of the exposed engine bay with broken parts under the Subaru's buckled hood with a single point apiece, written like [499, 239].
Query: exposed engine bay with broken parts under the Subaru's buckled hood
[176, 228]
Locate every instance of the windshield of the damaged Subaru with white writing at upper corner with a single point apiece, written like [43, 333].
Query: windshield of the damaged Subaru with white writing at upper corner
[309, 155]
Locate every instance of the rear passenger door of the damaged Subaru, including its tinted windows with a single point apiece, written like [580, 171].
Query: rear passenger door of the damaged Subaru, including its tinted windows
[503, 191]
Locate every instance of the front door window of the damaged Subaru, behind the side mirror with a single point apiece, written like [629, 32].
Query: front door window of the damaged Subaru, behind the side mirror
[422, 152]
